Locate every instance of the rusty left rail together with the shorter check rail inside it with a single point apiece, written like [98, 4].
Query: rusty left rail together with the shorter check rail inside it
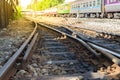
[11, 66]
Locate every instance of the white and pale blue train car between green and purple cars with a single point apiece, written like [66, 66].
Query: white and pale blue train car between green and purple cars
[87, 8]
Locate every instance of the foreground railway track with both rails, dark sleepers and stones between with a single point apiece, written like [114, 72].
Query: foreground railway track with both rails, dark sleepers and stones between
[61, 55]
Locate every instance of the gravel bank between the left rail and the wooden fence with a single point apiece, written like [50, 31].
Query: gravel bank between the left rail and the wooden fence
[12, 37]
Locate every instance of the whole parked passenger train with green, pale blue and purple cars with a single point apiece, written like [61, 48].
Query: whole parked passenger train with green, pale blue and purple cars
[86, 8]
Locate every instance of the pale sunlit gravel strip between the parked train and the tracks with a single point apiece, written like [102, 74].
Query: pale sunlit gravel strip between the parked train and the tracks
[111, 26]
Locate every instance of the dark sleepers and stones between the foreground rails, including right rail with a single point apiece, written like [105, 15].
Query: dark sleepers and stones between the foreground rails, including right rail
[60, 56]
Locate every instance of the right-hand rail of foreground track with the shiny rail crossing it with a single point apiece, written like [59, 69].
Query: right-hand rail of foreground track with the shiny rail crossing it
[113, 56]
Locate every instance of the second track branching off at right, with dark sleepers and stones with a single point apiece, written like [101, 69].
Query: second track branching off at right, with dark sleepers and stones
[105, 40]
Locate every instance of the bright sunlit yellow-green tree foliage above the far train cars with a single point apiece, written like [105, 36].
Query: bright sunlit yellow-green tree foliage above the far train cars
[44, 4]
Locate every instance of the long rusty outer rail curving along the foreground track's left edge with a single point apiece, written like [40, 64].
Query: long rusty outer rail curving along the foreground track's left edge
[11, 65]
